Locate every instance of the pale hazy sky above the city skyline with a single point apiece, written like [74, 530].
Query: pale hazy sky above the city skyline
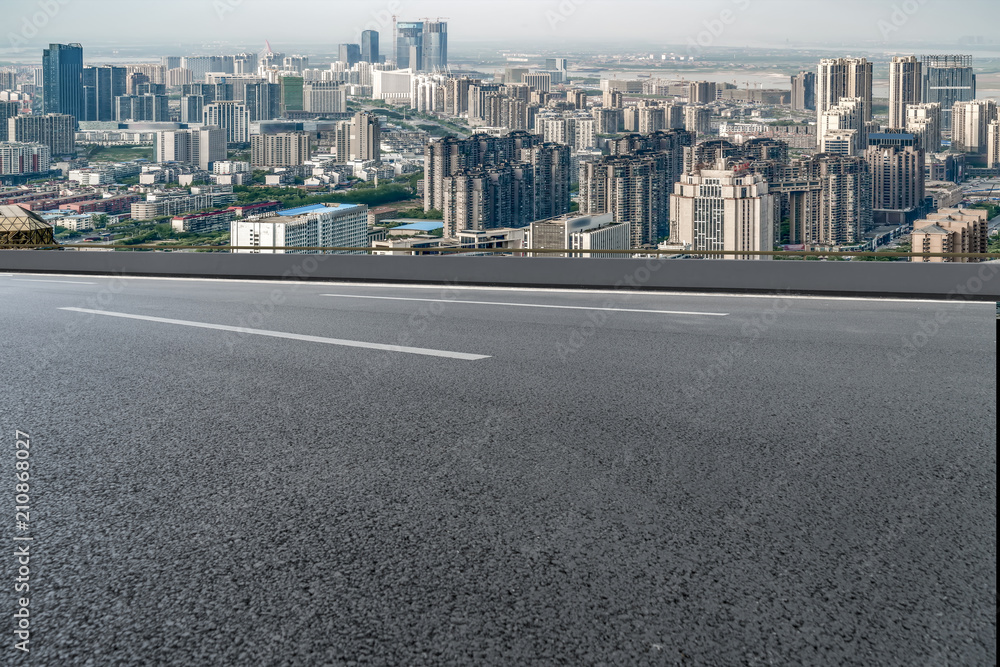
[27, 25]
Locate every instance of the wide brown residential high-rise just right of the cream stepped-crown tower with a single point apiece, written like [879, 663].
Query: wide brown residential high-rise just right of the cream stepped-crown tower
[828, 199]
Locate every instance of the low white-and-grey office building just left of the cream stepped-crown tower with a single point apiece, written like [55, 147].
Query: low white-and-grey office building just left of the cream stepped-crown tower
[580, 232]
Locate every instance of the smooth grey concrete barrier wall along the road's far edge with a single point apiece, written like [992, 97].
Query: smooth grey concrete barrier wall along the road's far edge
[868, 279]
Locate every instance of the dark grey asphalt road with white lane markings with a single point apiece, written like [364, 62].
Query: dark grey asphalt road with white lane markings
[768, 481]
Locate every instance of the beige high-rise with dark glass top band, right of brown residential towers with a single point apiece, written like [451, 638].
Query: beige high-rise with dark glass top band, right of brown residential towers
[897, 181]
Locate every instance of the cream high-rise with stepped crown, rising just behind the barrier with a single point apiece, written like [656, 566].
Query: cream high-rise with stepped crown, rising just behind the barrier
[723, 208]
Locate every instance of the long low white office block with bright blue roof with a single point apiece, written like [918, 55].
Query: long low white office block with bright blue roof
[319, 225]
